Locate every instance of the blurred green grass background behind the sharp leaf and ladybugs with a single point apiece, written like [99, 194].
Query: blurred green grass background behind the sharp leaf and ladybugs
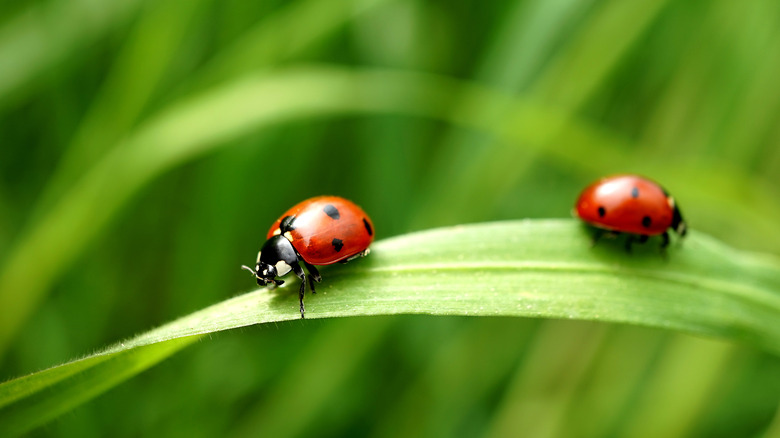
[686, 92]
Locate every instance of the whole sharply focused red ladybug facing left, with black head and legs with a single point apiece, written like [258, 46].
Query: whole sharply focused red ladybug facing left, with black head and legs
[318, 231]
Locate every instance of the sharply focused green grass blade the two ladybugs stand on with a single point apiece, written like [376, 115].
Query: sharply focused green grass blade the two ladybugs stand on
[529, 268]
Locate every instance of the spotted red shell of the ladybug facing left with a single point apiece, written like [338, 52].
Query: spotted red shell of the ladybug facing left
[327, 229]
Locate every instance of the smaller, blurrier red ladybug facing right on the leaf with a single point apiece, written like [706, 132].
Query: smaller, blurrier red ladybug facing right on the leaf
[630, 204]
